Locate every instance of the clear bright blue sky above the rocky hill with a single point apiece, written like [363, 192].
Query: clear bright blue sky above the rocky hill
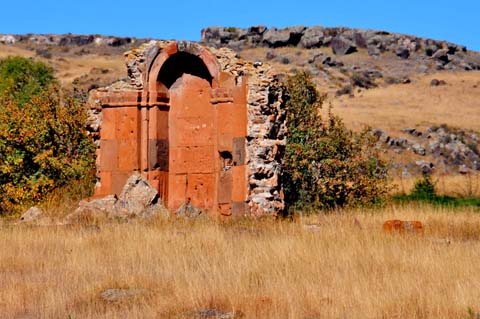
[455, 21]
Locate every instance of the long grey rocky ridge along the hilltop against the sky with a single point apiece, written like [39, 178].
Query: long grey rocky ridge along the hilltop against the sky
[343, 41]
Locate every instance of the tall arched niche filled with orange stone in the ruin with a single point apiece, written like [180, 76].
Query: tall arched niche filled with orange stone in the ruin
[182, 129]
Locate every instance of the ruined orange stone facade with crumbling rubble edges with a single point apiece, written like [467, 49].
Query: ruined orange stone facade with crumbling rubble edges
[202, 125]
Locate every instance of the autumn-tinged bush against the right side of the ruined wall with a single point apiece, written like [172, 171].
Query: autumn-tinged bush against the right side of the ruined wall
[326, 165]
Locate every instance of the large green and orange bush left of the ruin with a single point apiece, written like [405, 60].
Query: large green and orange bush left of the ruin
[43, 143]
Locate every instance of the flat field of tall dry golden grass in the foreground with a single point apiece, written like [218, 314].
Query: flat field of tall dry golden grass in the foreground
[263, 269]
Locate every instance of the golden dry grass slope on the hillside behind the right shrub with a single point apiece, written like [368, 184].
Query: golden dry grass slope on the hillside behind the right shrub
[416, 104]
